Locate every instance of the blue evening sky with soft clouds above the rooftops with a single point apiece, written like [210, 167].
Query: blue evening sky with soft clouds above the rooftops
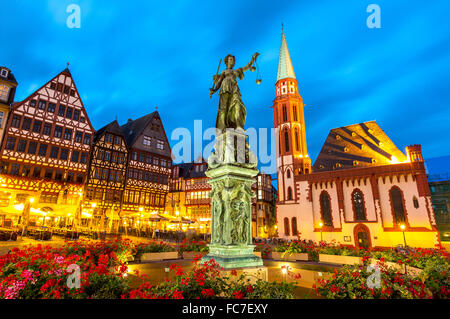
[130, 56]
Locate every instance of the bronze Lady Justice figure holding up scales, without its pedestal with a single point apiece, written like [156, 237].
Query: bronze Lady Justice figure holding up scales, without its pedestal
[232, 112]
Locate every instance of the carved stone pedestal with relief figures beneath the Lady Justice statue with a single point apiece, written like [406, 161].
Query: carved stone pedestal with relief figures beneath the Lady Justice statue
[231, 172]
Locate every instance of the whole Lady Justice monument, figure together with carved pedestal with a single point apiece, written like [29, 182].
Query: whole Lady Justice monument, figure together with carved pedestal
[231, 171]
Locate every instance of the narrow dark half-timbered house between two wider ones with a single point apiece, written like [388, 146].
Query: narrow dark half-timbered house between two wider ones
[105, 180]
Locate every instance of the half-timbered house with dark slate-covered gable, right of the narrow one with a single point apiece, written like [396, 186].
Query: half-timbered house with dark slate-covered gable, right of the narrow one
[149, 166]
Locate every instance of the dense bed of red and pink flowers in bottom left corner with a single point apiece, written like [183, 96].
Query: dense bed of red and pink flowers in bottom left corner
[43, 272]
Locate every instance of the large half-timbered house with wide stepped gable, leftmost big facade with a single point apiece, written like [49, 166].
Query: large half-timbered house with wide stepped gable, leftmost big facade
[45, 150]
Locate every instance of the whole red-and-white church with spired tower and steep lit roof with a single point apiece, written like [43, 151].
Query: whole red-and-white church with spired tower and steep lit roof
[362, 190]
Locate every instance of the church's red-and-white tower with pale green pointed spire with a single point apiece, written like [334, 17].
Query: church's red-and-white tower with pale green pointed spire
[292, 155]
